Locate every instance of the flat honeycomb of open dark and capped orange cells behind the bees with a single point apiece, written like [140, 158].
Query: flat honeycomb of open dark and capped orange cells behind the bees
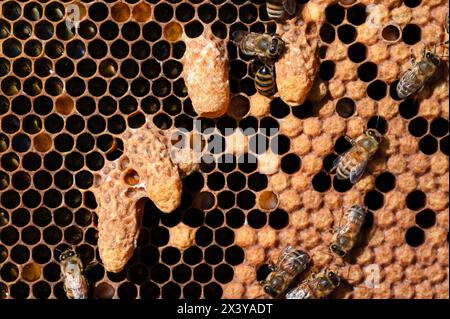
[67, 94]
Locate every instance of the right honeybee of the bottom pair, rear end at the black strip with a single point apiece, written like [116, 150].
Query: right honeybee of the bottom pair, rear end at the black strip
[318, 286]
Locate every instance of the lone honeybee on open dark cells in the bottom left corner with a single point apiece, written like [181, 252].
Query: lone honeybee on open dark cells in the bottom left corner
[75, 284]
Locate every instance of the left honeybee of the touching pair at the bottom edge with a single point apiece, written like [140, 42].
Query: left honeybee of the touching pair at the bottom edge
[291, 263]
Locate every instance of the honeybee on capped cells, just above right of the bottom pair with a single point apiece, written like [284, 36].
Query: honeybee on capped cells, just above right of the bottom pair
[346, 235]
